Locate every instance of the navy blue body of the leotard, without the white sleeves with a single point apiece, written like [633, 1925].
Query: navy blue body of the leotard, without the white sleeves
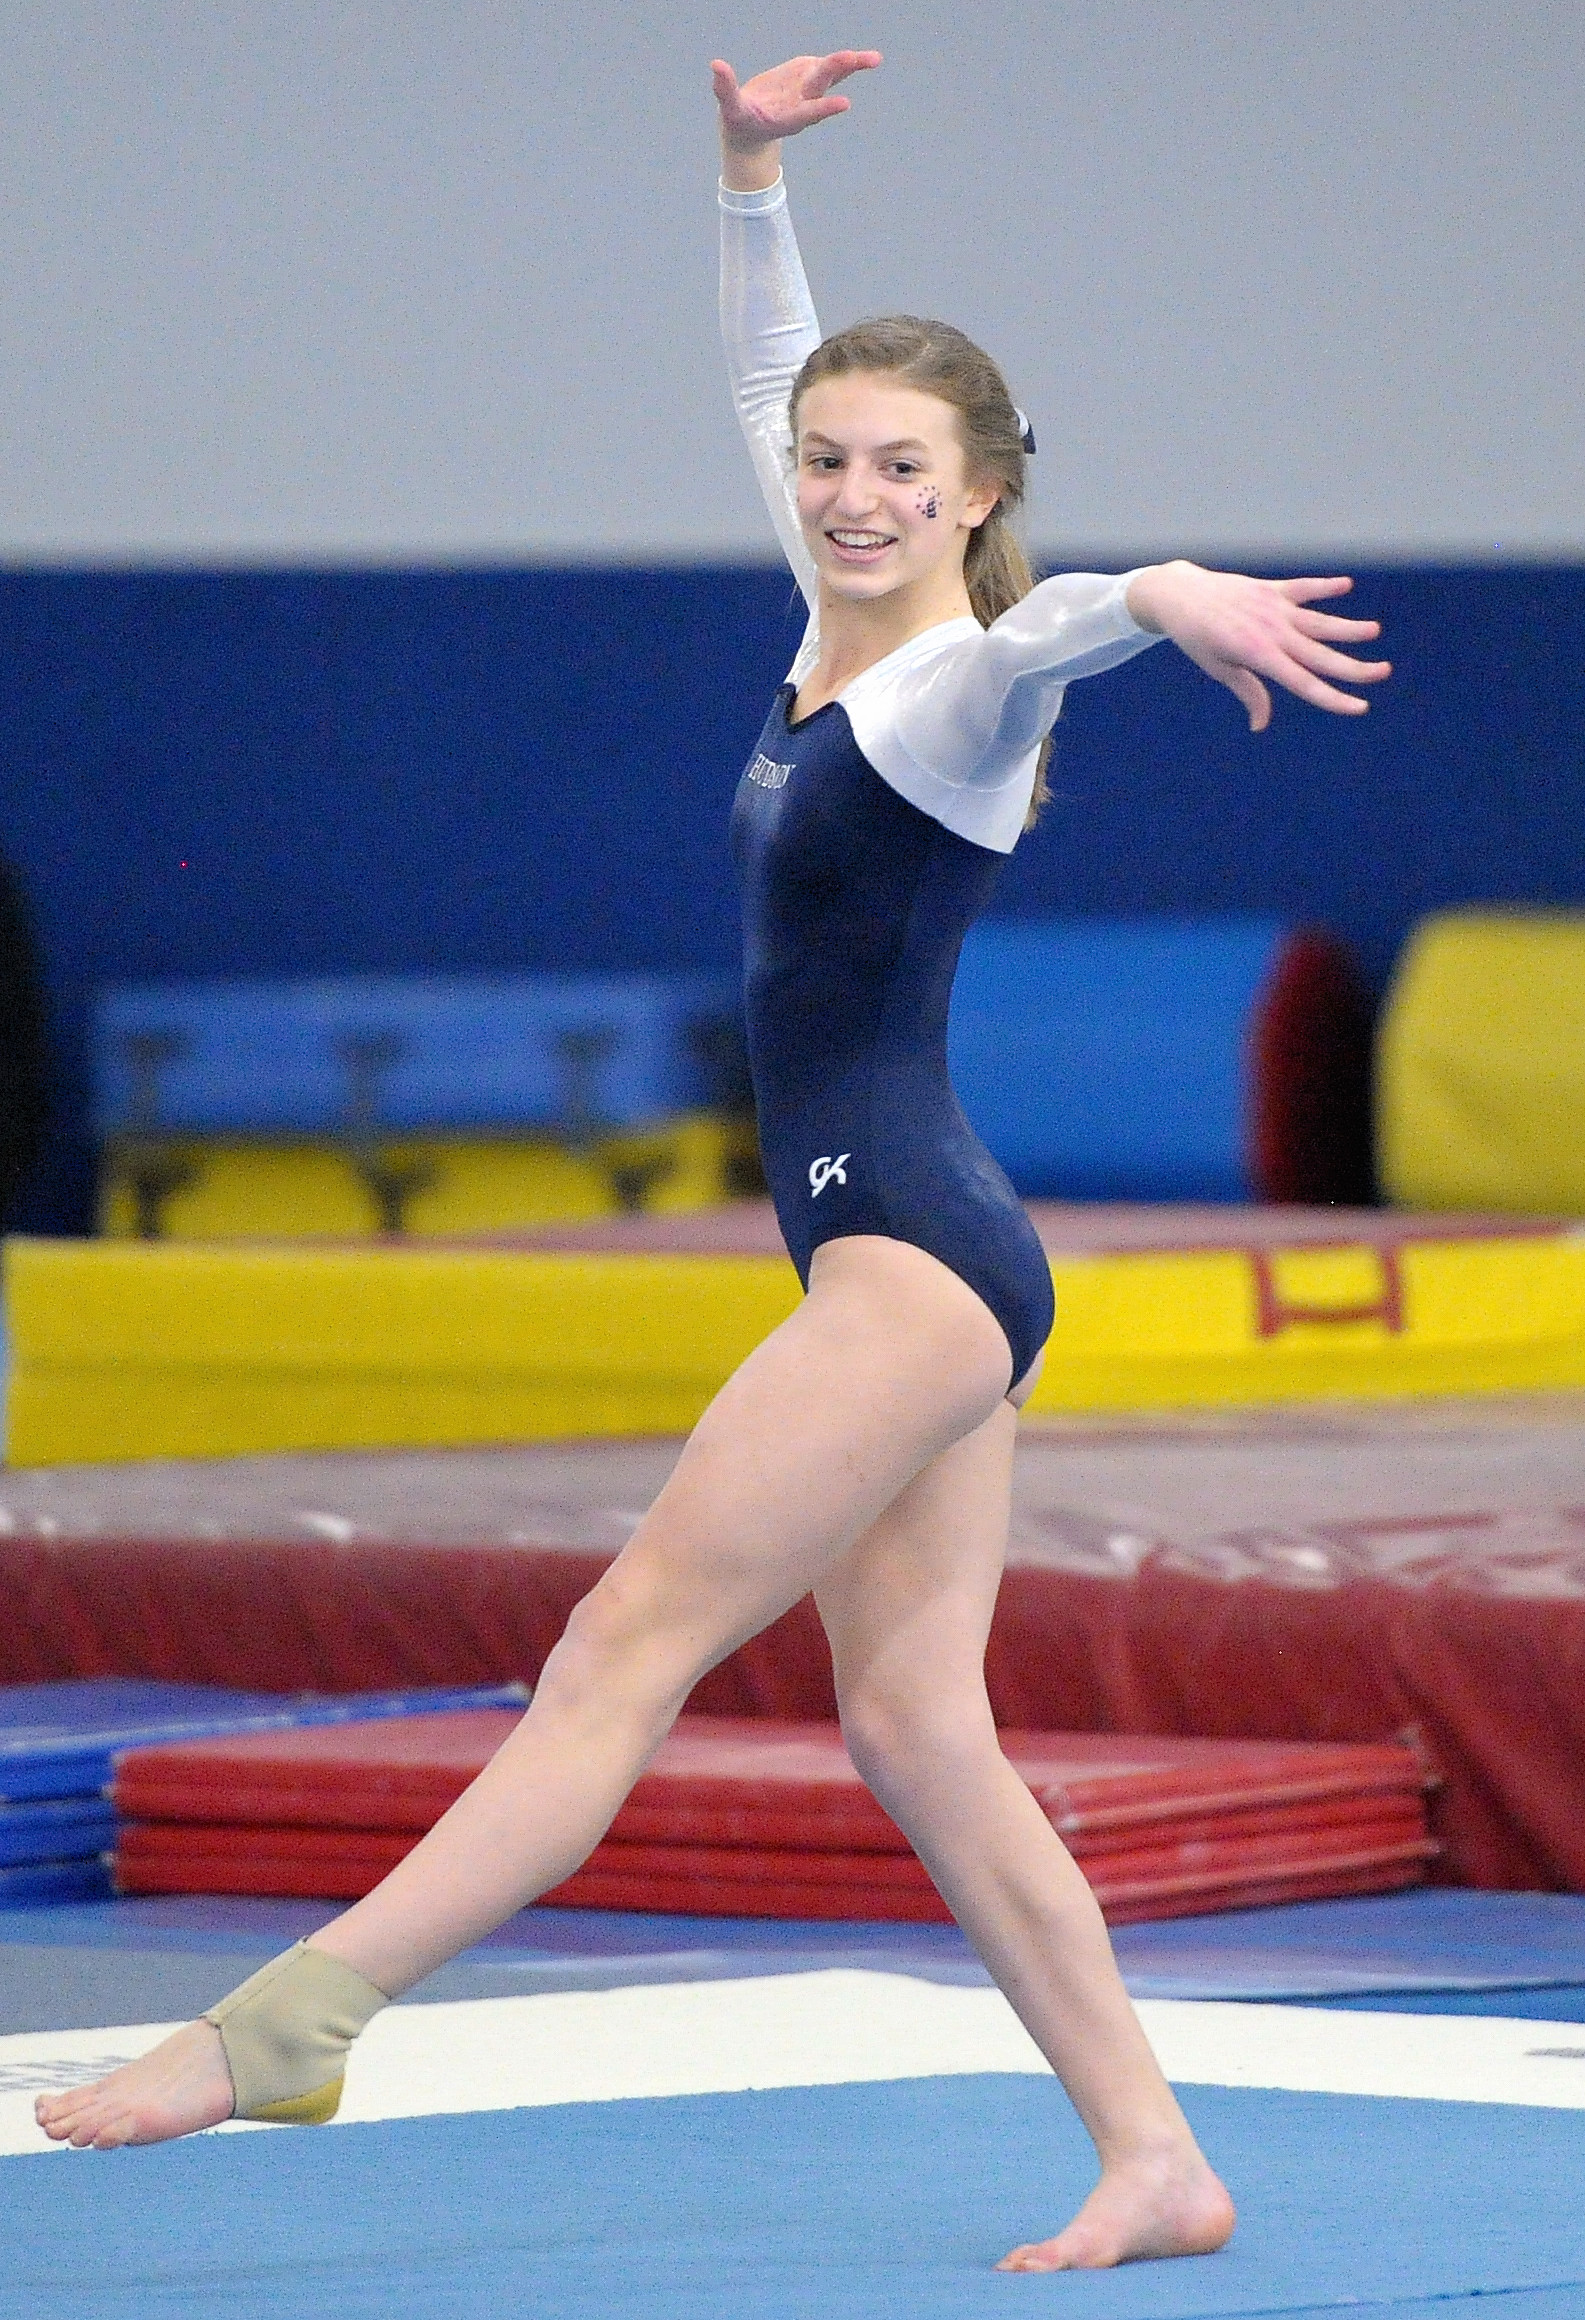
[855, 908]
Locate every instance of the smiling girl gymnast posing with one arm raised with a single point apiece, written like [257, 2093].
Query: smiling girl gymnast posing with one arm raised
[867, 1447]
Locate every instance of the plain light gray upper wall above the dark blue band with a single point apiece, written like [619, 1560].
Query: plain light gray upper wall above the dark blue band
[433, 280]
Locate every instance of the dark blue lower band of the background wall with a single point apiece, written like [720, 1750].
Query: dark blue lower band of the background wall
[289, 774]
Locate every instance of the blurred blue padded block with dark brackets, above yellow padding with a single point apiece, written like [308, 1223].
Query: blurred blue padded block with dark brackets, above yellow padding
[468, 1052]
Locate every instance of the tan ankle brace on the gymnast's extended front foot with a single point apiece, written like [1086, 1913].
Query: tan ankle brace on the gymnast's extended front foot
[287, 2033]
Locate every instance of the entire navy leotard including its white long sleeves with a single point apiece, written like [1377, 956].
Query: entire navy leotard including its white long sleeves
[869, 839]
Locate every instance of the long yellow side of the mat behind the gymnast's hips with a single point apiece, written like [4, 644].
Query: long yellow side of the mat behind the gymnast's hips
[157, 1349]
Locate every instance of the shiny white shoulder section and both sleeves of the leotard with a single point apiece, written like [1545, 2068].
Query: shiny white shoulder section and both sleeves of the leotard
[955, 718]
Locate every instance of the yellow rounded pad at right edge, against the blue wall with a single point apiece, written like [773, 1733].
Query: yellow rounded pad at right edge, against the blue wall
[1482, 1066]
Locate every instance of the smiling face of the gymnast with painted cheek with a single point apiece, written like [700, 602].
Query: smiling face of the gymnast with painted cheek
[883, 493]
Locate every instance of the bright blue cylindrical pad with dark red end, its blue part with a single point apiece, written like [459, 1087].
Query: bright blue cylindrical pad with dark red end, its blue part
[1108, 1059]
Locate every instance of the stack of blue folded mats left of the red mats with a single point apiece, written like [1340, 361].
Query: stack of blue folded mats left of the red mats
[57, 1748]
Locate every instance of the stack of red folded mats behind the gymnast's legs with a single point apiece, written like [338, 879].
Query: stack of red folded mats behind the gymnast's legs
[744, 1818]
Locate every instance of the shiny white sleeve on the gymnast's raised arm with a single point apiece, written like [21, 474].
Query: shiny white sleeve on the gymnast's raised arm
[769, 331]
